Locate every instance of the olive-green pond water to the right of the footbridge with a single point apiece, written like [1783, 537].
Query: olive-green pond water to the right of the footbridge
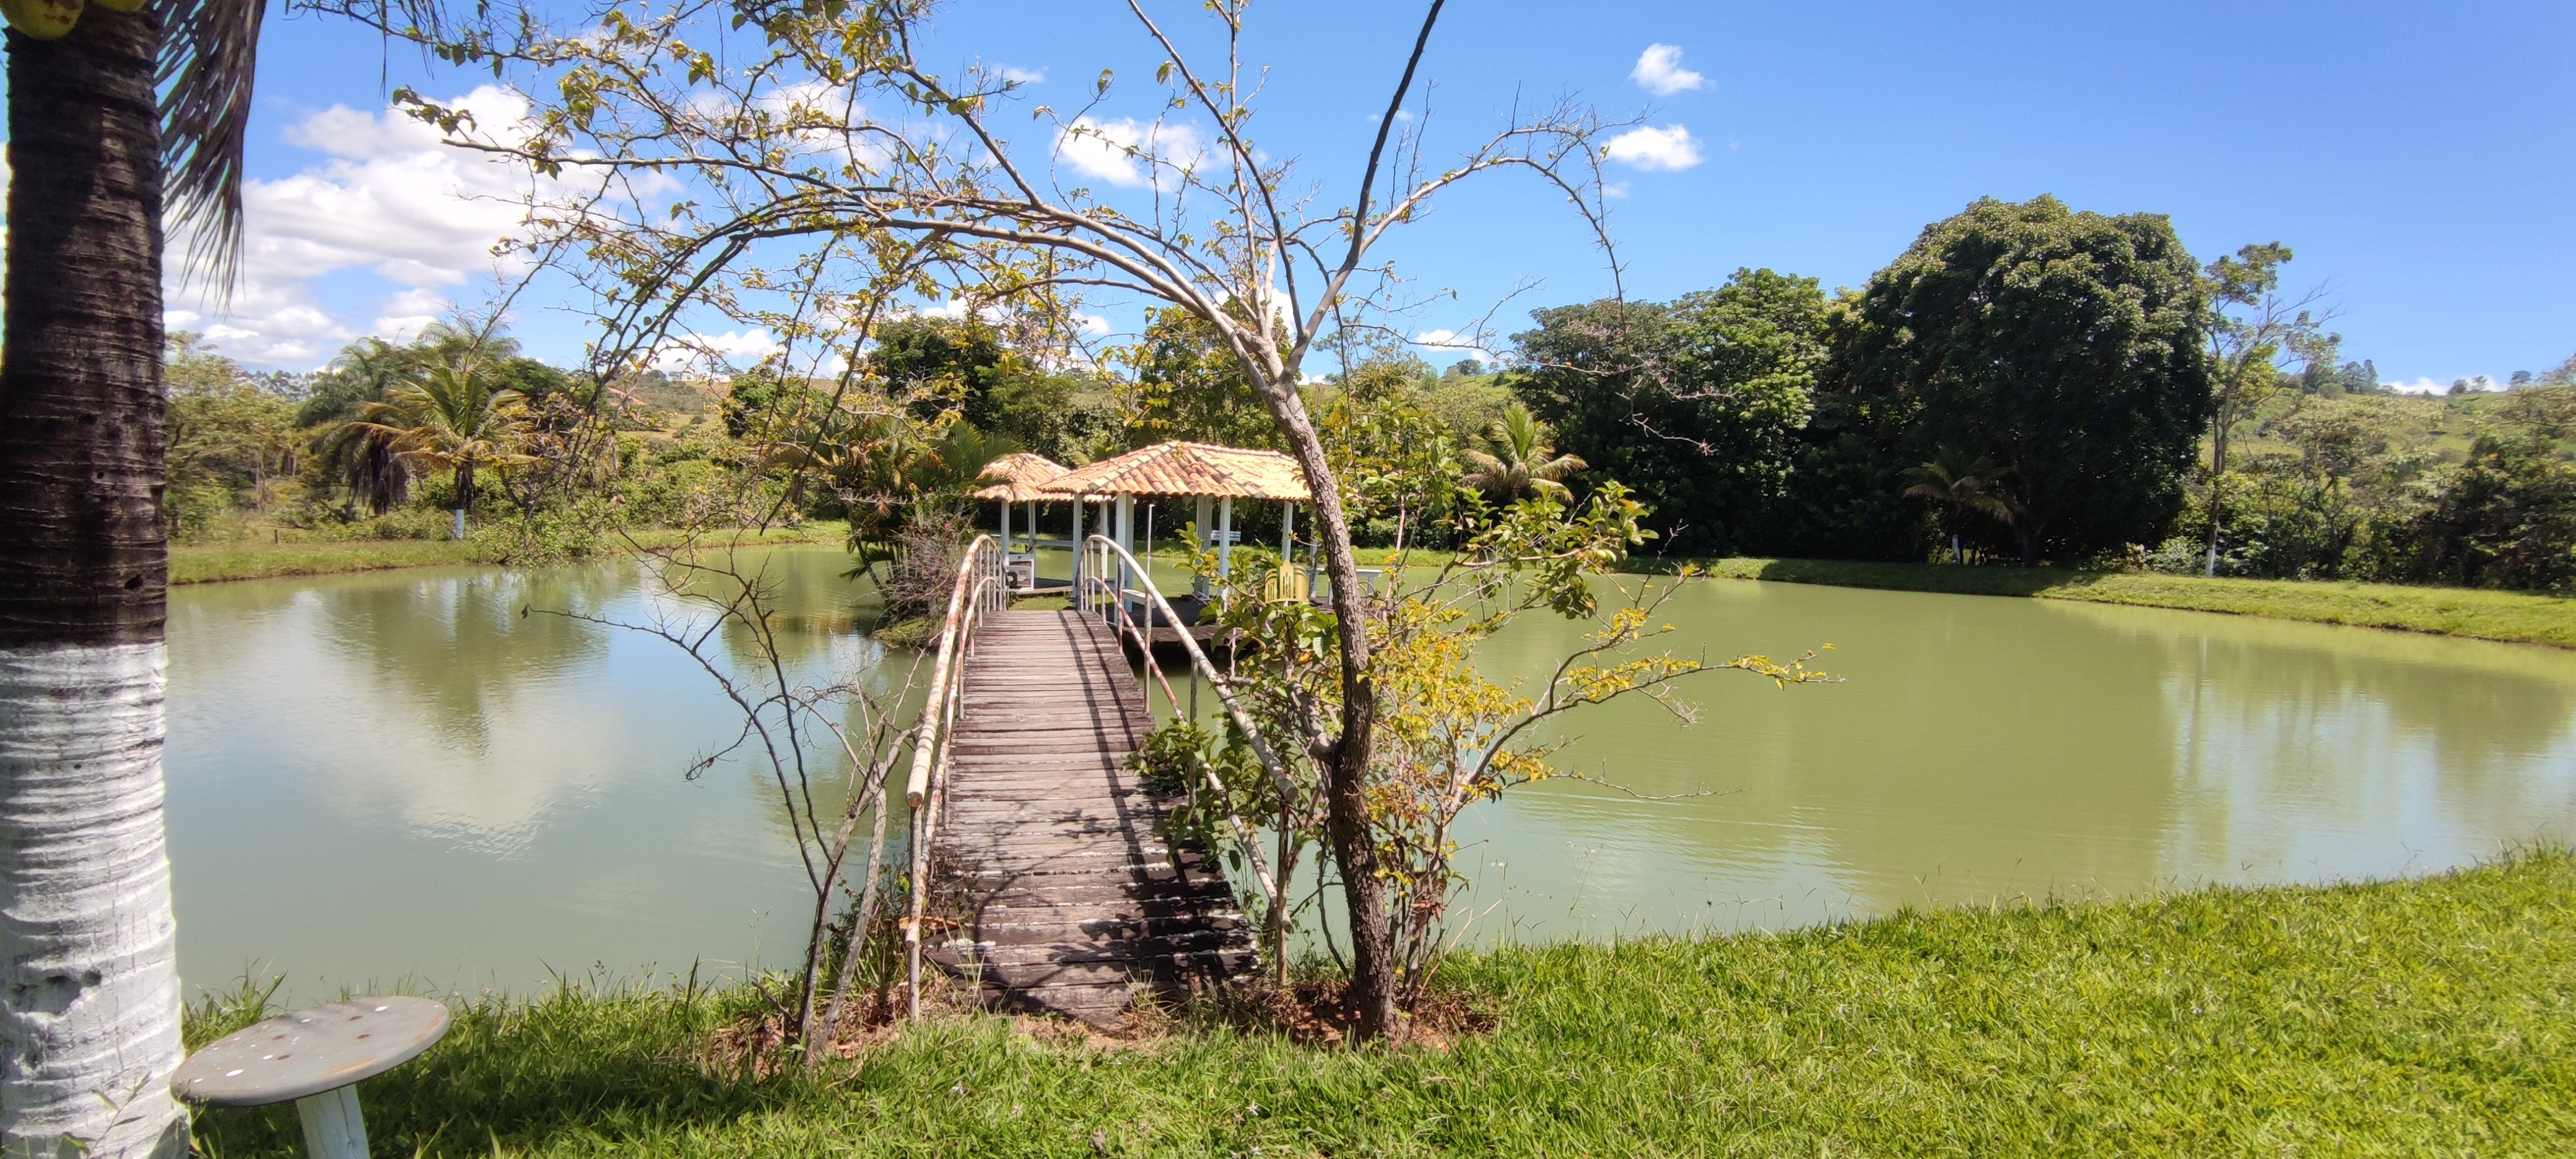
[2021, 748]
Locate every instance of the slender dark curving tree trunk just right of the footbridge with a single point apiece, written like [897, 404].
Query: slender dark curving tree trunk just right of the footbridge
[1346, 769]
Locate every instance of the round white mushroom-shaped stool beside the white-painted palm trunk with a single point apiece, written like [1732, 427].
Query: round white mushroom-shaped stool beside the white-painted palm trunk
[316, 1057]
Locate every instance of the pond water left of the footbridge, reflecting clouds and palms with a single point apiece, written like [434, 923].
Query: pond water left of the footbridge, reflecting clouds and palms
[429, 774]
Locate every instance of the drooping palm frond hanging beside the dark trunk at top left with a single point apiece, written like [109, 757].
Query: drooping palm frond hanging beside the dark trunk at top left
[205, 76]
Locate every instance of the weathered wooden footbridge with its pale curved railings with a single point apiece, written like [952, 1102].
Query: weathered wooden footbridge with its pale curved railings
[1042, 872]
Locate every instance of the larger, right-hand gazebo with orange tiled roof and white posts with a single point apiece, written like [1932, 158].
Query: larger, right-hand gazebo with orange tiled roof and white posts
[1212, 475]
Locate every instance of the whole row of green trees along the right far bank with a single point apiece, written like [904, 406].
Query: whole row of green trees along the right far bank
[2041, 385]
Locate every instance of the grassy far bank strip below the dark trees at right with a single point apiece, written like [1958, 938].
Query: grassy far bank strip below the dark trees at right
[2446, 612]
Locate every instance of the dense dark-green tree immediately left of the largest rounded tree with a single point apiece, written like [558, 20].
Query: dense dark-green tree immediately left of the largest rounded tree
[1696, 406]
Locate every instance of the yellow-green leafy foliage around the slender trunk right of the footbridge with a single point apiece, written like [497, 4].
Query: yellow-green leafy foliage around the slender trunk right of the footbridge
[1452, 738]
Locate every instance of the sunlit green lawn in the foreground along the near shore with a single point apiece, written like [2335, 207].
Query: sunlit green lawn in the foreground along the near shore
[2397, 1019]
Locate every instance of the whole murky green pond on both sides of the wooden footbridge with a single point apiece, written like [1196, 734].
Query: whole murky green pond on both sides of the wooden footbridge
[431, 779]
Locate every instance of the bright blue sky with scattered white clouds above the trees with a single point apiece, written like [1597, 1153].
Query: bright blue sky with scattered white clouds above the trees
[2415, 156]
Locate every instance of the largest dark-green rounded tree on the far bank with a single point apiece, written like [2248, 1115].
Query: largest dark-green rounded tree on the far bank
[2072, 349]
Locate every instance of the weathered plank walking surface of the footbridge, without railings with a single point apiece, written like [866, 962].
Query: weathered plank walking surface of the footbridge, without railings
[1050, 854]
